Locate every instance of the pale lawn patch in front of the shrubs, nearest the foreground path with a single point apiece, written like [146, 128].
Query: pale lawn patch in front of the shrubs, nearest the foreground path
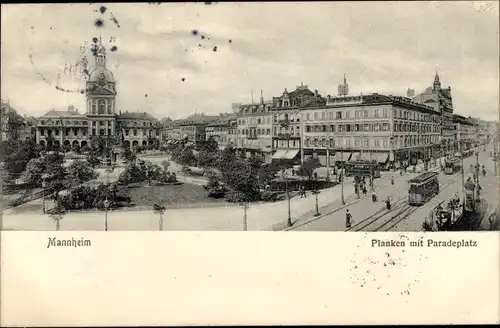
[171, 195]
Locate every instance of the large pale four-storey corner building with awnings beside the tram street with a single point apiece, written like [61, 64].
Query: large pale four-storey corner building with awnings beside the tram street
[391, 130]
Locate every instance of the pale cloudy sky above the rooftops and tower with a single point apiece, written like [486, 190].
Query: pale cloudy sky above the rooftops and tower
[164, 59]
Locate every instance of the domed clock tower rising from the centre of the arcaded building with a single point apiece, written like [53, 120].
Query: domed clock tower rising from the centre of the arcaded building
[101, 96]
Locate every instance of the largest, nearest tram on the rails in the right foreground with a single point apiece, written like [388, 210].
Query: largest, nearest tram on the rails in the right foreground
[423, 188]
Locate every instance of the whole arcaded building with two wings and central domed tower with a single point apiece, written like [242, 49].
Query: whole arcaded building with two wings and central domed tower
[70, 128]
